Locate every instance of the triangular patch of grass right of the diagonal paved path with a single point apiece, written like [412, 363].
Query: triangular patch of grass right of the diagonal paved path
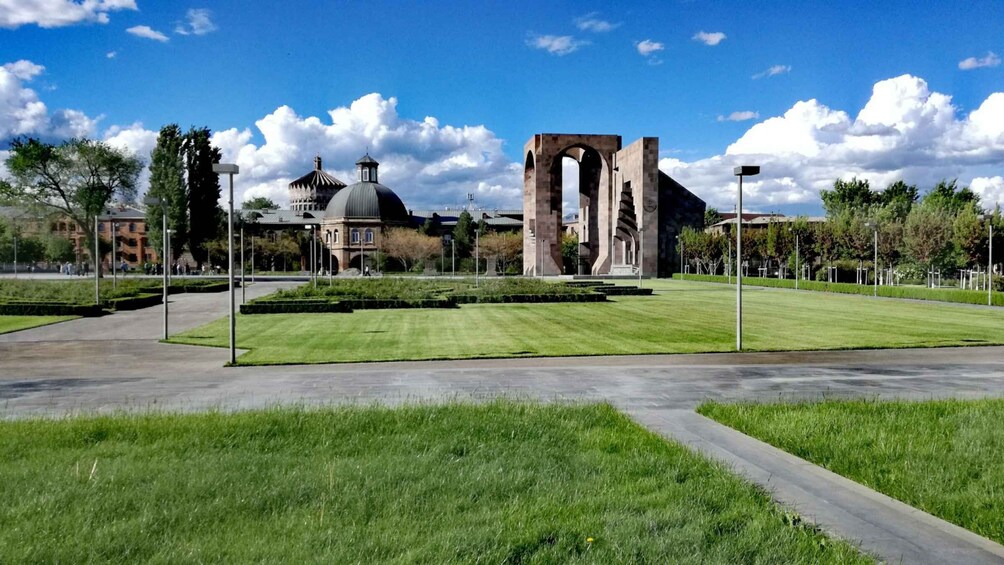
[944, 457]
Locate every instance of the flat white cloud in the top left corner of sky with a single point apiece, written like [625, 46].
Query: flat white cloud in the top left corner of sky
[59, 14]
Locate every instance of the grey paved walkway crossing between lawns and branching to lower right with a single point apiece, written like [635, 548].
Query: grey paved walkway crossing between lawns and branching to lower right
[115, 363]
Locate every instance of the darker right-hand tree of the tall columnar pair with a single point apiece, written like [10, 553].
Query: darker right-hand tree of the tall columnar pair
[206, 218]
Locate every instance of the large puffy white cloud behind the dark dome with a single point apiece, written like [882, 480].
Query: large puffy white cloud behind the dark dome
[427, 164]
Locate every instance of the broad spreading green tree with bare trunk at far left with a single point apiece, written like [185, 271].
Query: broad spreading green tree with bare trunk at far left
[76, 179]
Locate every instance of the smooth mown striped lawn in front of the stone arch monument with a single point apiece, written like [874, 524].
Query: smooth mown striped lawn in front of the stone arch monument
[682, 318]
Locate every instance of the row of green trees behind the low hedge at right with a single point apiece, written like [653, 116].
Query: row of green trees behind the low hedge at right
[943, 232]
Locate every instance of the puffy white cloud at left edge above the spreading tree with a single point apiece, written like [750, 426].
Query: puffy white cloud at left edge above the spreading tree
[24, 114]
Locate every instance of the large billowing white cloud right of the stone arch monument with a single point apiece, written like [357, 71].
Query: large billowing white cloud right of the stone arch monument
[904, 132]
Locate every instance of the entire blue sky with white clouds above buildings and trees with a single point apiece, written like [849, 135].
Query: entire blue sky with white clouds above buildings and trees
[446, 94]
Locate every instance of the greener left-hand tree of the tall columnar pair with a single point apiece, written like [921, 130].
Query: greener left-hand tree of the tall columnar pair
[167, 182]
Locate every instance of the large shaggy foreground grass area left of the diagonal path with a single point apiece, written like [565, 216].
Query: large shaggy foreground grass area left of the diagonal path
[500, 483]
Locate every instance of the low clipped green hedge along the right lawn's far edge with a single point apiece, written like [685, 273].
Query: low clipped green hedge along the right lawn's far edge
[916, 294]
